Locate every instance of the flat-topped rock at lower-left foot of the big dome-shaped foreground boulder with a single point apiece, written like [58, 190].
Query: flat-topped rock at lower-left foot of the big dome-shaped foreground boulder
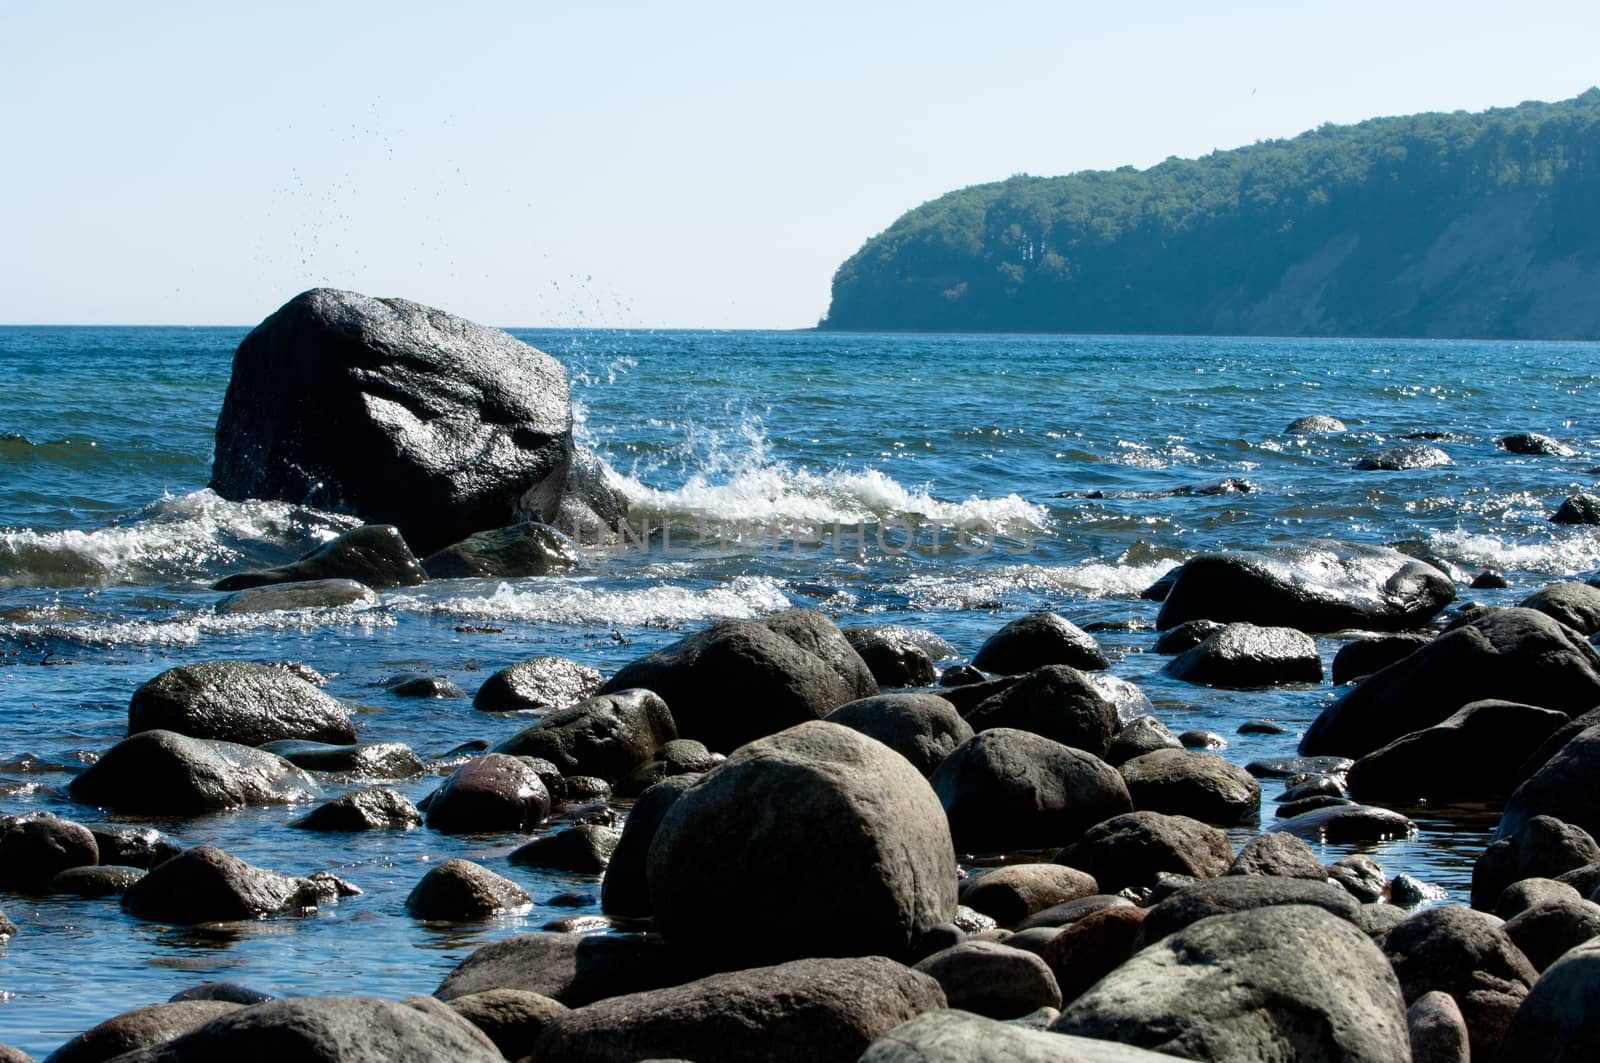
[569, 968]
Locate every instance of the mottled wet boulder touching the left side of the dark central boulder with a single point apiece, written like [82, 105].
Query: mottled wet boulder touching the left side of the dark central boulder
[607, 736]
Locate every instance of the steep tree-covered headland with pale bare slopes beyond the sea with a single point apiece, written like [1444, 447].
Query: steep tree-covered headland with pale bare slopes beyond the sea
[1473, 227]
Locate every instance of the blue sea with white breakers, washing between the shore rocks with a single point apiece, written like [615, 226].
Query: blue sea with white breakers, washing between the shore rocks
[951, 483]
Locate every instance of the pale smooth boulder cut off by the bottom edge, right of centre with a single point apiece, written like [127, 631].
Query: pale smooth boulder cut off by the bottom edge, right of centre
[956, 1037]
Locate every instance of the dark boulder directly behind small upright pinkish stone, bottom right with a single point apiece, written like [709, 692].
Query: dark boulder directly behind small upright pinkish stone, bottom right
[1460, 952]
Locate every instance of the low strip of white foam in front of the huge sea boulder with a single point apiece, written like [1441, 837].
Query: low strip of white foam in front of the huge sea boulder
[574, 603]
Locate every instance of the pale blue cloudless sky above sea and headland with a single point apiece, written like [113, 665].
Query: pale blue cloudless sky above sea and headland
[642, 166]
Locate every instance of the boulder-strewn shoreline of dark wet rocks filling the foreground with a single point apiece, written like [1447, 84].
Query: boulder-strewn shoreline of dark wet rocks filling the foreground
[826, 843]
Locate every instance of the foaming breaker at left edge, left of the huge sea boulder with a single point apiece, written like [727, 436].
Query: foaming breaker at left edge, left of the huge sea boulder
[177, 539]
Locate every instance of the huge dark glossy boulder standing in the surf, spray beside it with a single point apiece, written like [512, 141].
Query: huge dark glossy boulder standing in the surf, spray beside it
[399, 414]
